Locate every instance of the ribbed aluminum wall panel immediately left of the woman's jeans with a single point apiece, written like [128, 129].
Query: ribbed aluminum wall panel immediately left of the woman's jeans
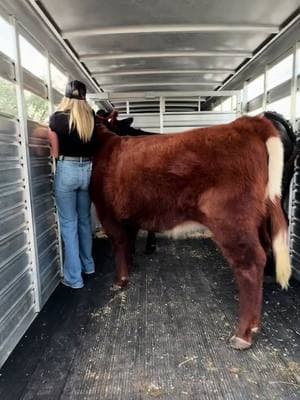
[43, 209]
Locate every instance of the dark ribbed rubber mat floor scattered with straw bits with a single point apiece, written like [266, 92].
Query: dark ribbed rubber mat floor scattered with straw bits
[165, 337]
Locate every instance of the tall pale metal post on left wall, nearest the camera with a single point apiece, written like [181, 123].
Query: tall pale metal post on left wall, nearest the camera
[33, 256]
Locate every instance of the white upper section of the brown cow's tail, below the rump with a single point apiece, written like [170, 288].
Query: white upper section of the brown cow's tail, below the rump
[275, 168]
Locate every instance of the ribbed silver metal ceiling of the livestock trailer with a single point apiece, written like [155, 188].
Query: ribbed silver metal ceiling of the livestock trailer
[138, 45]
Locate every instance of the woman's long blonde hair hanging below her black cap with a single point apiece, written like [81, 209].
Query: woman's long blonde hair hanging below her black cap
[81, 116]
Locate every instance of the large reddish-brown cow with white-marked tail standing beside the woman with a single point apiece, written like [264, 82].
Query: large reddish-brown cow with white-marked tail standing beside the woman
[225, 177]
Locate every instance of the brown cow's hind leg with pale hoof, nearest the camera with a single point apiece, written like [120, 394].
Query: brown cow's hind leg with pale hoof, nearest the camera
[243, 250]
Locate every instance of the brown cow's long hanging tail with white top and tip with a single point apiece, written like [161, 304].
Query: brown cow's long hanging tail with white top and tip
[279, 228]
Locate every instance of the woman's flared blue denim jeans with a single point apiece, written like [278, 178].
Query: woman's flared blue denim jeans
[71, 185]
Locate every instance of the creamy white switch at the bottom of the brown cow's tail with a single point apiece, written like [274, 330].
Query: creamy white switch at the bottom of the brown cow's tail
[282, 257]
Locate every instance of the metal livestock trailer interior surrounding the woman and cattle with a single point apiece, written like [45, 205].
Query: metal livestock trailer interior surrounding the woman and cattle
[171, 66]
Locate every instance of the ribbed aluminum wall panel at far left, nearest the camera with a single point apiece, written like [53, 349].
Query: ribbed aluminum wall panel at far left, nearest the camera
[17, 303]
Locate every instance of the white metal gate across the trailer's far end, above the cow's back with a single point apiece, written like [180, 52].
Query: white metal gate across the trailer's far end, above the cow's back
[164, 121]
